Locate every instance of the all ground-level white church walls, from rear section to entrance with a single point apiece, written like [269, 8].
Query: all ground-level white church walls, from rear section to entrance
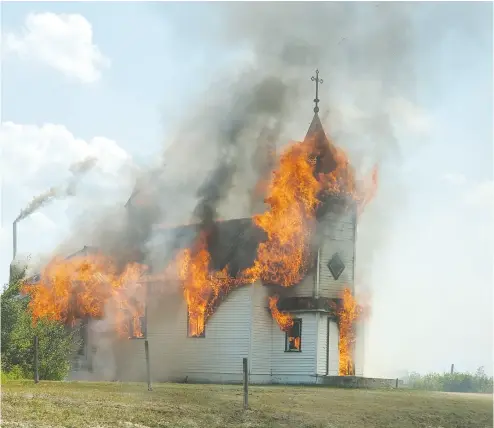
[241, 327]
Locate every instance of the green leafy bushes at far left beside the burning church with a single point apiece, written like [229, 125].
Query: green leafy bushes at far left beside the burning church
[56, 342]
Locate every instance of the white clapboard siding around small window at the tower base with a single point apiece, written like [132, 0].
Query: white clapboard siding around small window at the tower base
[295, 363]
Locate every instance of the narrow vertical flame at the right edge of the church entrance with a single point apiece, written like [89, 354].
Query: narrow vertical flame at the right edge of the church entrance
[348, 313]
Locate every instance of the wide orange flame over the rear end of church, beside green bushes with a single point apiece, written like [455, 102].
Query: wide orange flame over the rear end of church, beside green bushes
[88, 286]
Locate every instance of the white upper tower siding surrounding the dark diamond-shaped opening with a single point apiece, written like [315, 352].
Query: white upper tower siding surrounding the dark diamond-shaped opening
[338, 237]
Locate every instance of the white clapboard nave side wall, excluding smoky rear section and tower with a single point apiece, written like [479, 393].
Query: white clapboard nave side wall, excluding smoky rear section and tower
[175, 356]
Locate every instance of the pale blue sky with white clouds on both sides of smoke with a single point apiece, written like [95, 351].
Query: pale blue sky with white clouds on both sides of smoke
[109, 80]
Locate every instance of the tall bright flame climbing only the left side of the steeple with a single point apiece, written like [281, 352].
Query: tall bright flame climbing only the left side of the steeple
[292, 198]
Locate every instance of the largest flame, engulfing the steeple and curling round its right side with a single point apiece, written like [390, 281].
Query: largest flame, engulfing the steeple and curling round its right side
[293, 196]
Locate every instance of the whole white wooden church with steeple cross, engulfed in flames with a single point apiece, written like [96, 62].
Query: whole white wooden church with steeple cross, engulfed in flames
[276, 287]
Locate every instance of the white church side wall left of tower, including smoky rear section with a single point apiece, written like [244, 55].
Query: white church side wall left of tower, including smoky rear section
[217, 357]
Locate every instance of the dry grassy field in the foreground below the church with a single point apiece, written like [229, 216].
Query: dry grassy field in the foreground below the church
[91, 405]
